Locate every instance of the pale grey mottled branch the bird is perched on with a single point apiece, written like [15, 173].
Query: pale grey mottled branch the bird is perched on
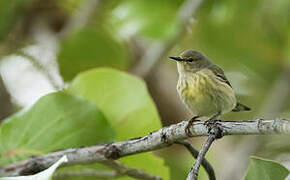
[155, 140]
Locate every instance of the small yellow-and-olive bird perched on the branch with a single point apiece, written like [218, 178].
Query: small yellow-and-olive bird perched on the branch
[203, 87]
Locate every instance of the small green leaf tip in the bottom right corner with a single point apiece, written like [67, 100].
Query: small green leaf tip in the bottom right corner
[262, 169]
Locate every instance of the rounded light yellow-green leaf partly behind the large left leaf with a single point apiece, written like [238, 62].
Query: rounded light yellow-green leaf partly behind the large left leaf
[123, 99]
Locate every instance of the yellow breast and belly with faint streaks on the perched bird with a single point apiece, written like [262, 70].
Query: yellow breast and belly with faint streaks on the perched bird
[204, 94]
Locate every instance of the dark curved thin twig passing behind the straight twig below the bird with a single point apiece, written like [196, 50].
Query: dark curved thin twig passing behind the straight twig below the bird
[207, 166]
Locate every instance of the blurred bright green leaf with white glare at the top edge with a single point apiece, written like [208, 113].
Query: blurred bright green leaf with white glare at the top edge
[150, 18]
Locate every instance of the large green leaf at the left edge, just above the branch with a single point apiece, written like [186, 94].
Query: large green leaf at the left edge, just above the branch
[56, 121]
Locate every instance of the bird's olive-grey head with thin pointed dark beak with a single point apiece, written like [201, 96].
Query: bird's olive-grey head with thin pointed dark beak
[191, 61]
